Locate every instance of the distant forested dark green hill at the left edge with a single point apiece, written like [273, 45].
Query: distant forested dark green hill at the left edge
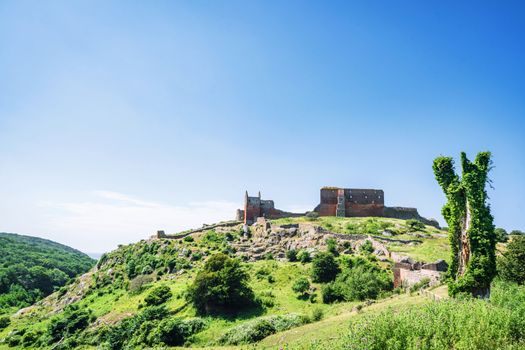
[32, 268]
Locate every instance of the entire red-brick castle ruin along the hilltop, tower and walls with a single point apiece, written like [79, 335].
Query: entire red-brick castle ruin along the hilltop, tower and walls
[334, 201]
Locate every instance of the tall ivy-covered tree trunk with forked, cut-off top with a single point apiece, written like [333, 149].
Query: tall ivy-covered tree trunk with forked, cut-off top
[471, 228]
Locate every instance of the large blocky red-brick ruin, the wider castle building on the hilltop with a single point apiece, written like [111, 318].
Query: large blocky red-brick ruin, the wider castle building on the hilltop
[358, 202]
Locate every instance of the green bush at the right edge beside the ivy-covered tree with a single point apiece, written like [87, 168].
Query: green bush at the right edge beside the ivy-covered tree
[511, 265]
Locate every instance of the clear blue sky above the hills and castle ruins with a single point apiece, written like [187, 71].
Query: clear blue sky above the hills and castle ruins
[118, 118]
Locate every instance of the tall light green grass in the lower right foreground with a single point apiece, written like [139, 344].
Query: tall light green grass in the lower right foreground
[449, 324]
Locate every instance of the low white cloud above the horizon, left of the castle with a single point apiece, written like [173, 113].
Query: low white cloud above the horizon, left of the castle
[114, 218]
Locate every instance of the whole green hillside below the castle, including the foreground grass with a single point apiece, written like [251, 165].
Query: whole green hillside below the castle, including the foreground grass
[137, 295]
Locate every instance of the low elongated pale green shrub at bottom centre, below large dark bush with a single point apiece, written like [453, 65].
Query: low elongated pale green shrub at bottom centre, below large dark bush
[253, 331]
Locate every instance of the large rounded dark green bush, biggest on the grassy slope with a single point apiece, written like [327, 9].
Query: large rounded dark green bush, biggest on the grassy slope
[222, 285]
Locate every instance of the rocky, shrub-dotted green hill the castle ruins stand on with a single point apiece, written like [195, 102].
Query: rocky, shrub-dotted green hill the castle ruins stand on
[115, 291]
